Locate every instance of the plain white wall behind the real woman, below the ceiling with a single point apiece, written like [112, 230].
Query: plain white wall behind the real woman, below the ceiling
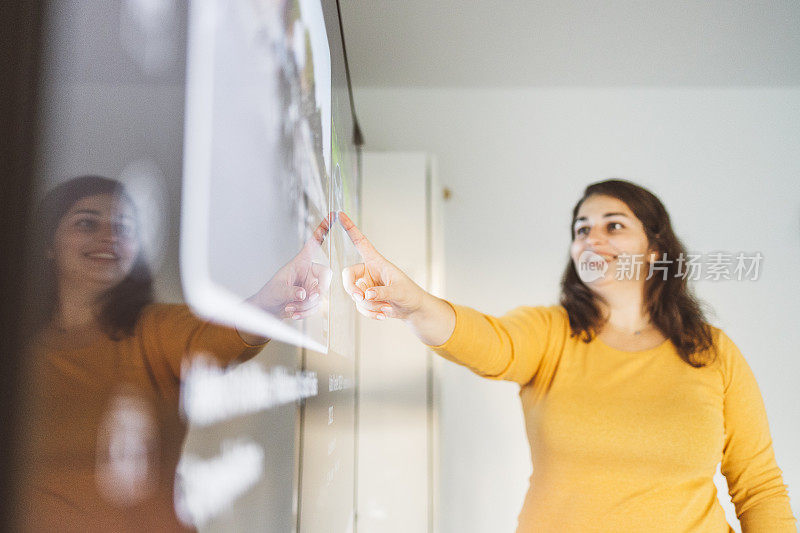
[724, 161]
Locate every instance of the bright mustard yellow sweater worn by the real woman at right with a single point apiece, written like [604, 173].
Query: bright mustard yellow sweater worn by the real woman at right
[628, 441]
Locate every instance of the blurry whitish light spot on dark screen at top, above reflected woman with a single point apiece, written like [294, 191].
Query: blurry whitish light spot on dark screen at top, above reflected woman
[148, 33]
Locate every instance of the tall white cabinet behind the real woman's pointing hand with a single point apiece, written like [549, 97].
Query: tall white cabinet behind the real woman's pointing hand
[393, 424]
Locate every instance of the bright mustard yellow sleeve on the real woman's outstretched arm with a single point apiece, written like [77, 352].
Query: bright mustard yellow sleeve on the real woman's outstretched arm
[510, 347]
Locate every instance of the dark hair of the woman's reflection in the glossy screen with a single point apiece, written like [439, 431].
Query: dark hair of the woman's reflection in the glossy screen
[122, 304]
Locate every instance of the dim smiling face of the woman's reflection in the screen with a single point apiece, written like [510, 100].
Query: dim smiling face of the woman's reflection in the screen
[96, 242]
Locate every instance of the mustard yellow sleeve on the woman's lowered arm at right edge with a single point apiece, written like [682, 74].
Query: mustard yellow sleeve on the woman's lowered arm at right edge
[754, 480]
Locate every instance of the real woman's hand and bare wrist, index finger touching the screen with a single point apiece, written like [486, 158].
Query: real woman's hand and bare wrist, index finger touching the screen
[381, 290]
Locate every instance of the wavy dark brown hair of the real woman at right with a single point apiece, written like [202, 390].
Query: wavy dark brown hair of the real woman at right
[670, 303]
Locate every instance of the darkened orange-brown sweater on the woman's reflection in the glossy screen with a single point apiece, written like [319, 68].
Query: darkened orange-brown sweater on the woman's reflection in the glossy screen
[82, 384]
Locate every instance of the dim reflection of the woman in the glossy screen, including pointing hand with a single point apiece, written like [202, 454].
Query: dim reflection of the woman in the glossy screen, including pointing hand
[104, 431]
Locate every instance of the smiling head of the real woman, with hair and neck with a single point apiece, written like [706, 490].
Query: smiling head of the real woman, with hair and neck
[629, 228]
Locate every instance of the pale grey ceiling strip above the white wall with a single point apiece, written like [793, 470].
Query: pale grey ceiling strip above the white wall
[518, 43]
